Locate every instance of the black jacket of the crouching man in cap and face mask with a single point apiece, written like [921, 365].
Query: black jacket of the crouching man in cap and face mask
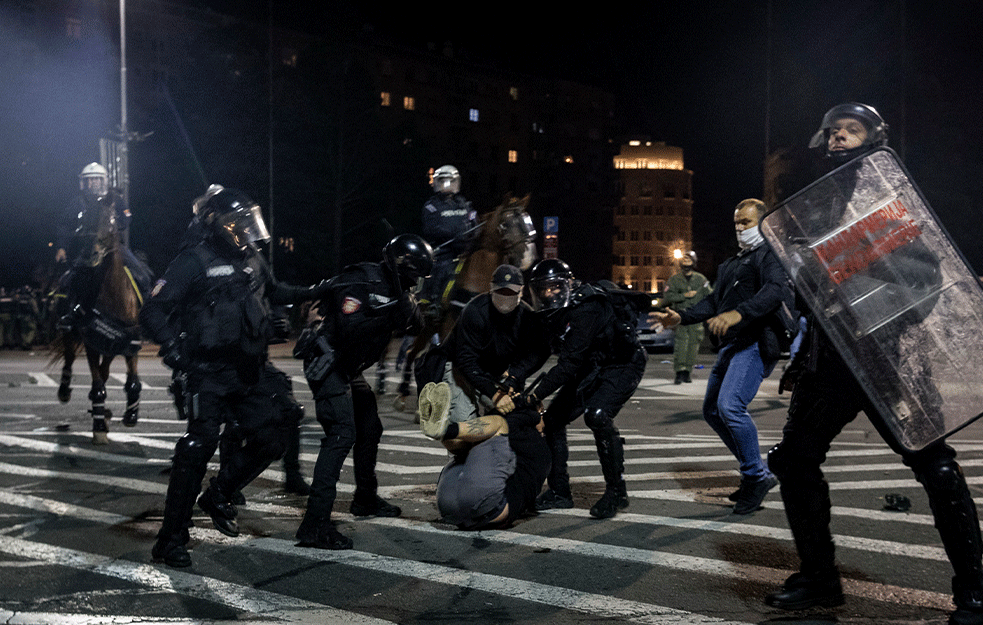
[485, 343]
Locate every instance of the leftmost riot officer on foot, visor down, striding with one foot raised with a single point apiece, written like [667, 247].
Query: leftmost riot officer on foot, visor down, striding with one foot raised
[210, 313]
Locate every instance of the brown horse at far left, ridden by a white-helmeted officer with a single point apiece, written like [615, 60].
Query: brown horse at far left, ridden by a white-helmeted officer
[111, 327]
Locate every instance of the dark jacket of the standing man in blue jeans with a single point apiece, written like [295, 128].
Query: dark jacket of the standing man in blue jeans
[754, 284]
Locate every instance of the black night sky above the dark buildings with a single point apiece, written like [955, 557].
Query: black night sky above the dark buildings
[719, 79]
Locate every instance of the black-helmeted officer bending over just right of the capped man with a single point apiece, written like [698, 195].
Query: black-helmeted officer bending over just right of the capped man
[597, 371]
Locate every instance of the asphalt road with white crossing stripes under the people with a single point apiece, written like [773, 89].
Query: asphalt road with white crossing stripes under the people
[77, 522]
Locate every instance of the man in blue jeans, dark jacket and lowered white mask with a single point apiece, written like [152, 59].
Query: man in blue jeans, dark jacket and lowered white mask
[742, 310]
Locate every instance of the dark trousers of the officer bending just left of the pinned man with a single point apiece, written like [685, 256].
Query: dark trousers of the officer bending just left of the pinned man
[349, 416]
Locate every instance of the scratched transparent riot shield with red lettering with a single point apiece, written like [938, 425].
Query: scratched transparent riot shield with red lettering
[886, 284]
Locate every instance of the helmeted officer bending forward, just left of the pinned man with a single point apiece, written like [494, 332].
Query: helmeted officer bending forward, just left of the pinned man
[364, 305]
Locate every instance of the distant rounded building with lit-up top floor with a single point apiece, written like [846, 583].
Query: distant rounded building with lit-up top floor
[653, 222]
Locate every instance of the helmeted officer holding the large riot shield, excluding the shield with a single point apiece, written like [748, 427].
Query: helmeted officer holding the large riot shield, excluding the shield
[826, 397]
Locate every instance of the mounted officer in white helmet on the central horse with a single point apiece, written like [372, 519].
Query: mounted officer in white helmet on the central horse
[449, 225]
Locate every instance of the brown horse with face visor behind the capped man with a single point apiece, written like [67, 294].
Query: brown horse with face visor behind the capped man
[506, 236]
